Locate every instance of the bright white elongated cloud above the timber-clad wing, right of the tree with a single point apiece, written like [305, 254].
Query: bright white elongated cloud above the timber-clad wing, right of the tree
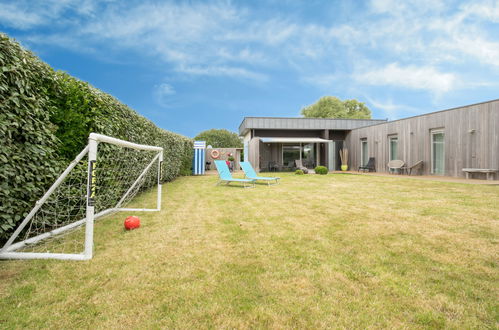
[413, 77]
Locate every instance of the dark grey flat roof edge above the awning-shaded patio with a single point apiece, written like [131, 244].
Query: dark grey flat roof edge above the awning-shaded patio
[301, 123]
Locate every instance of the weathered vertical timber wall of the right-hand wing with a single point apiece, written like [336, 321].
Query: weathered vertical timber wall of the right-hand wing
[471, 139]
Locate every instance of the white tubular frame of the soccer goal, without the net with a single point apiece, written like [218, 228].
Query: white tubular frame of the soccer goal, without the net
[9, 250]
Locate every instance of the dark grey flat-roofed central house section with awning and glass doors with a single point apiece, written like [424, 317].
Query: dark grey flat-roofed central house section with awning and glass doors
[316, 140]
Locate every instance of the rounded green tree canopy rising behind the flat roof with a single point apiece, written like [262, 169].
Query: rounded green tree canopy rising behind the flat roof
[333, 107]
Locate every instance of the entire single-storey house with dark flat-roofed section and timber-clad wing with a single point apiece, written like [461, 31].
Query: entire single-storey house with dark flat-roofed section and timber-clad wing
[446, 141]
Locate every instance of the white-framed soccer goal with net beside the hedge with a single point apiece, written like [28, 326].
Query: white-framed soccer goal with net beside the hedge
[109, 175]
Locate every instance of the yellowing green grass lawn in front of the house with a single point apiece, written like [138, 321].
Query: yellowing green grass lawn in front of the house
[346, 251]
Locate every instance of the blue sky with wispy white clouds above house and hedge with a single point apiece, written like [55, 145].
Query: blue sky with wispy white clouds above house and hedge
[194, 65]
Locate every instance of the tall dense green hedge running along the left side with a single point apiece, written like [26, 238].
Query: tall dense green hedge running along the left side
[45, 120]
